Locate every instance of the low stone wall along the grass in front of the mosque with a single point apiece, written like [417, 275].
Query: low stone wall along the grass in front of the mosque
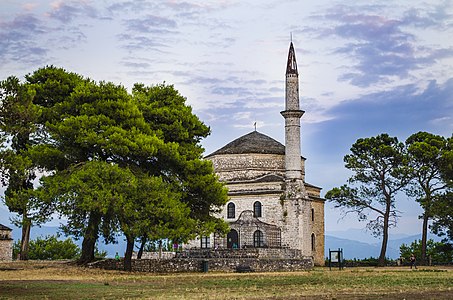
[179, 265]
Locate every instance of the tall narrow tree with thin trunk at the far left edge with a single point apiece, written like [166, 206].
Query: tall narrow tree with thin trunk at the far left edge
[19, 134]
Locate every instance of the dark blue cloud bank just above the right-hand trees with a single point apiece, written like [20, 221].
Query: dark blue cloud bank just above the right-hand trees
[400, 112]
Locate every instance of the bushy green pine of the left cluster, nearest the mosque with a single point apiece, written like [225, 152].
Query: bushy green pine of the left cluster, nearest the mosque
[178, 191]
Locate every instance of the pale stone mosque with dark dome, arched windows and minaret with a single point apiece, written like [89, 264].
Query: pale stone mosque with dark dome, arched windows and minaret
[270, 204]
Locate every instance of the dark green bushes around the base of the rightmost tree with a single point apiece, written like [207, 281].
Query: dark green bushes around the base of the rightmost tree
[438, 251]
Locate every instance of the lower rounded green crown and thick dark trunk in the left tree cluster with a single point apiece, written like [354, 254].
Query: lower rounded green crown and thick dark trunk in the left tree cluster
[88, 195]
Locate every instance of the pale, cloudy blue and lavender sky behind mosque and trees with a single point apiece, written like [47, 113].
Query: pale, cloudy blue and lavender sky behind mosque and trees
[365, 67]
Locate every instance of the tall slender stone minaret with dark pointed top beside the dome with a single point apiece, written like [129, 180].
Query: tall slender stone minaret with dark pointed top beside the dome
[292, 115]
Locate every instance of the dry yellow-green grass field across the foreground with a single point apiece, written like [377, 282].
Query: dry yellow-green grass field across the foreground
[61, 280]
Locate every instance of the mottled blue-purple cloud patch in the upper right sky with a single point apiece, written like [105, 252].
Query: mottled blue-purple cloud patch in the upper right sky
[383, 48]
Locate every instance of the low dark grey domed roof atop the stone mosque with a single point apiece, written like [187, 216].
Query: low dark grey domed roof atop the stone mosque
[253, 142]
